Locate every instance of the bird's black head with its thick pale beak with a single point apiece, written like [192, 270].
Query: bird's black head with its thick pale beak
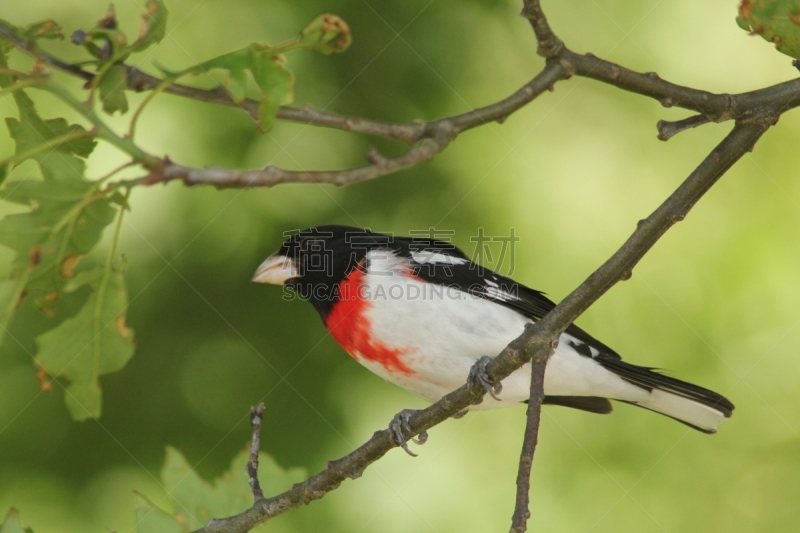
[313, 261]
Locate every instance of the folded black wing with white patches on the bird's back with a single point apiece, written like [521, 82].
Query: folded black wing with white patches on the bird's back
[444, 264]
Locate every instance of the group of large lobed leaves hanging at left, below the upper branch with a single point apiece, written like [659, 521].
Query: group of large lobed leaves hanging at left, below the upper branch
[65, 221]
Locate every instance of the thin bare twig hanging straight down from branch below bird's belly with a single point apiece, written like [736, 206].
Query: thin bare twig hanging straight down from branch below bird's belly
[519, 520]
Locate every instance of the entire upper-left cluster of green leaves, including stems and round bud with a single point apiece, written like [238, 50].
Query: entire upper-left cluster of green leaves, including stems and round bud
[66, 215]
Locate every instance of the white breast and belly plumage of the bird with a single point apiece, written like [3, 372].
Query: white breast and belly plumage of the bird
[446, 330]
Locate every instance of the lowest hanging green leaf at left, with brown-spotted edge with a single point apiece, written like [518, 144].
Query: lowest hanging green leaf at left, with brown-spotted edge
[94, 342]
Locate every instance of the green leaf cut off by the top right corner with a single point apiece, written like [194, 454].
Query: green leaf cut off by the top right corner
[777, 21]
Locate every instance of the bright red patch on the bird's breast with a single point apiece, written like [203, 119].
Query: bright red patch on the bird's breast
[349, 325]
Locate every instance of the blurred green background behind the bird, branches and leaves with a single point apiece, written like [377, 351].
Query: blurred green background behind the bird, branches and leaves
[716, 302]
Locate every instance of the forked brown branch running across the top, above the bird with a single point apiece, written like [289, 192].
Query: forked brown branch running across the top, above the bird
[429, 138]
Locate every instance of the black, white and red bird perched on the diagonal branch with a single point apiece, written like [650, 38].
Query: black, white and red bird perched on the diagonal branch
[419, 313]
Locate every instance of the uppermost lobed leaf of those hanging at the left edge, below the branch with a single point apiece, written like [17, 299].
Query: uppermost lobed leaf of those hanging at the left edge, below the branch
[32, 136]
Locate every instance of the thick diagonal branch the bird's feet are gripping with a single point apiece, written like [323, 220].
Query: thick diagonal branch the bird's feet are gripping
[537, 338]
